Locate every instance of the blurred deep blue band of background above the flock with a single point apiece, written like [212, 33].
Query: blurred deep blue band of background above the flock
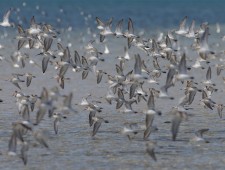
[146, 14]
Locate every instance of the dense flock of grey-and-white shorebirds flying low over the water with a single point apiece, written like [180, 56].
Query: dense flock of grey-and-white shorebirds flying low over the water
[129, 86]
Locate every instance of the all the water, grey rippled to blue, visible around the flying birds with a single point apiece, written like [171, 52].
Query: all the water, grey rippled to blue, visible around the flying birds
[73, 147]
